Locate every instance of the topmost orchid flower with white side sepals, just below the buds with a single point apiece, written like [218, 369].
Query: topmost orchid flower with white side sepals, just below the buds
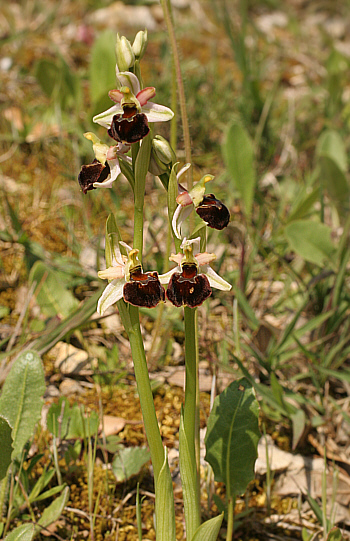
[127, 120]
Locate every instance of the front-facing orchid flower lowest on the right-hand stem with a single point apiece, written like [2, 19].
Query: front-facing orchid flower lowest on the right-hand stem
[190, 282]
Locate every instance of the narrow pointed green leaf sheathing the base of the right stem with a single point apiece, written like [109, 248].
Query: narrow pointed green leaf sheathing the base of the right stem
[188, 482]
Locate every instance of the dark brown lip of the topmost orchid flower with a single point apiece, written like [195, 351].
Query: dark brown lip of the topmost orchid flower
[125, 129]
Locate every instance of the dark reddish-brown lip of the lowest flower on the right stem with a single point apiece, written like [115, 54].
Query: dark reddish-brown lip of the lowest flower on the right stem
[188, 288]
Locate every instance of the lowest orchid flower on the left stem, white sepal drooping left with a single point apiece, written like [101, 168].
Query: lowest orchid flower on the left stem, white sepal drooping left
[128, 281]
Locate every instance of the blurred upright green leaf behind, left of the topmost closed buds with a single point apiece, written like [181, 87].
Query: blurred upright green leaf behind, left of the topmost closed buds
[102, 66]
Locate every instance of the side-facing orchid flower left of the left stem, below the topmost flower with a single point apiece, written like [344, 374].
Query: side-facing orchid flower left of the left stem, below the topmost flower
[105, 168]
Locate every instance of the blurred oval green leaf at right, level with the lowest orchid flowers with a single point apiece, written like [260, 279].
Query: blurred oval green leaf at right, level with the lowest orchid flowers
[311, 240]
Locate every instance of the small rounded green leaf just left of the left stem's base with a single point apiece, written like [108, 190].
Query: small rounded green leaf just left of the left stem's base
[129, 461]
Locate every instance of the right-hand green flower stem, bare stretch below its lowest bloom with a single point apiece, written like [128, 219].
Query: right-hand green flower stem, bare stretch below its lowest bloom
[191, 398]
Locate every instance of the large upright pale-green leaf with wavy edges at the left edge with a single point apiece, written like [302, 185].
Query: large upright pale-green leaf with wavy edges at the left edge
[21, 398]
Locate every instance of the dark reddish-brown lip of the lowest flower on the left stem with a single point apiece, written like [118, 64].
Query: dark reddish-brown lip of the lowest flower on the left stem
[143, 289]
